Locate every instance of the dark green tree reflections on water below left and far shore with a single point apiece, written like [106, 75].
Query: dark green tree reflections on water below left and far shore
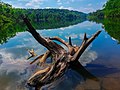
[10, 29]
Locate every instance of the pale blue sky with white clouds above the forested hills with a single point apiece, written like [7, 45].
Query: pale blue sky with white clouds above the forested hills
[78, 5]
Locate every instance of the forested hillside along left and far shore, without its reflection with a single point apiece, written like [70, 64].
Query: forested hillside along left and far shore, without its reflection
[7, 13]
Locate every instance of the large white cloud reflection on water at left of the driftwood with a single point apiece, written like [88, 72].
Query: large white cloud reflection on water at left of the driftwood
[10, 64]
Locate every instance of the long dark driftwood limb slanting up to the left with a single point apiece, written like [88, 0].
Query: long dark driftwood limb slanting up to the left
[51, 46]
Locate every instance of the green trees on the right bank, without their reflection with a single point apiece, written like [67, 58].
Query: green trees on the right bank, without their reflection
[110, 10]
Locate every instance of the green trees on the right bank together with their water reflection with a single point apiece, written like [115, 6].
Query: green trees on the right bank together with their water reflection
[109, 17]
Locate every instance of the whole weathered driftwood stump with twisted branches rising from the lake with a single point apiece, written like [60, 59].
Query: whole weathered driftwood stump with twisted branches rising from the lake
[62, 59]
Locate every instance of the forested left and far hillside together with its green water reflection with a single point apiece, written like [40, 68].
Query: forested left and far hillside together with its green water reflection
[11, 22]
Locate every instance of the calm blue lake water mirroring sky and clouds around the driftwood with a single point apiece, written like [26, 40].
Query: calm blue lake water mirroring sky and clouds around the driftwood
[102, 59]
